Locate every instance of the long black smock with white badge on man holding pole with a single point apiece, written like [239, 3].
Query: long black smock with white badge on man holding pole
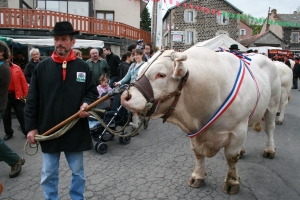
[51, 100]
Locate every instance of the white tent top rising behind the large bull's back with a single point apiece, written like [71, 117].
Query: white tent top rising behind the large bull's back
[221, 40]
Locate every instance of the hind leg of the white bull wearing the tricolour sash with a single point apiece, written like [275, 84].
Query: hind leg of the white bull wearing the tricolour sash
[269, 129]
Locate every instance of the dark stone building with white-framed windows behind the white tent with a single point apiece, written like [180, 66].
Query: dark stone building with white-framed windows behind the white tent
[187, 25]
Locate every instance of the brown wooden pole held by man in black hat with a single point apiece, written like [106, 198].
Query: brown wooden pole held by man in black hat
[60, 125]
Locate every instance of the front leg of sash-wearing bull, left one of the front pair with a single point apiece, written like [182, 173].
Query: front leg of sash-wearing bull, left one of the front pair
[198, 176]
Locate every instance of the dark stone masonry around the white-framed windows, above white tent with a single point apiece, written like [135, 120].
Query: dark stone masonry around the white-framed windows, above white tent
[205, 25]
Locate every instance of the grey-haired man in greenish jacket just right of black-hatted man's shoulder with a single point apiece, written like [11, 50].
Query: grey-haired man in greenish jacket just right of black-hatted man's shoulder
[97, 65]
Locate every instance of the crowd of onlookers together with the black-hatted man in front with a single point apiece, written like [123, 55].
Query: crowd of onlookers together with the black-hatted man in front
[26, 87]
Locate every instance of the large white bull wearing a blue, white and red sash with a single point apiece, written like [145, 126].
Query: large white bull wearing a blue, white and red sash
[211, 78]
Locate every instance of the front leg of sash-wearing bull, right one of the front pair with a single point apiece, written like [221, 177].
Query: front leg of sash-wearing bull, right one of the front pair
[231, 184]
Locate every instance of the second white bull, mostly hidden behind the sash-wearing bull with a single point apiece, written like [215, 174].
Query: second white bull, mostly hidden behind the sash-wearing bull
[286, 77]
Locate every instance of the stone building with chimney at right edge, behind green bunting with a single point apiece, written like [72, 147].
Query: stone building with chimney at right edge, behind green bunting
[289, 33]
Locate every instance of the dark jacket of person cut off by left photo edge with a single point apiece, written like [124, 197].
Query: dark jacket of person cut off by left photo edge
[4, 83]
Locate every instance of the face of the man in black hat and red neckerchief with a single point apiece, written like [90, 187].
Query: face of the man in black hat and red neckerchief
[63, 44]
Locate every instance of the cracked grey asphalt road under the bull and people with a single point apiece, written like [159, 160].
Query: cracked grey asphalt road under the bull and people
[158, 162]
